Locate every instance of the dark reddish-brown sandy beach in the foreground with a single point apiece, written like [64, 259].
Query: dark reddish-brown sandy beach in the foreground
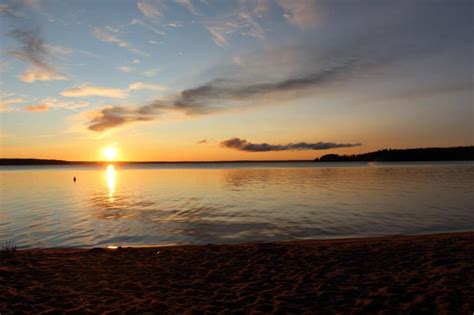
[408, 274]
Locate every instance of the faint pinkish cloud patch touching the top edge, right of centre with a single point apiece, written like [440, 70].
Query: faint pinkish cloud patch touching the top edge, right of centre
[301, 13]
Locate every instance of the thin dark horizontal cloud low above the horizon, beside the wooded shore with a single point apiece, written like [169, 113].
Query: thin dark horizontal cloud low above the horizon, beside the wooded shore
[244, 145]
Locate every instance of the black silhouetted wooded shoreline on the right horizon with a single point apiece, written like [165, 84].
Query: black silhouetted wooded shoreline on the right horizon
[396, 155]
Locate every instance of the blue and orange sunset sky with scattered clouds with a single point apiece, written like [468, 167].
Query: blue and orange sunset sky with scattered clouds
[206, 80]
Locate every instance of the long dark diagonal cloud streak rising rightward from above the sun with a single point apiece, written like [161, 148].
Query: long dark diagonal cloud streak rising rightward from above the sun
[221, 95]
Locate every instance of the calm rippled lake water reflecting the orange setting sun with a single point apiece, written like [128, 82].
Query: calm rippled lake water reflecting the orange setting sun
[224, 203]
